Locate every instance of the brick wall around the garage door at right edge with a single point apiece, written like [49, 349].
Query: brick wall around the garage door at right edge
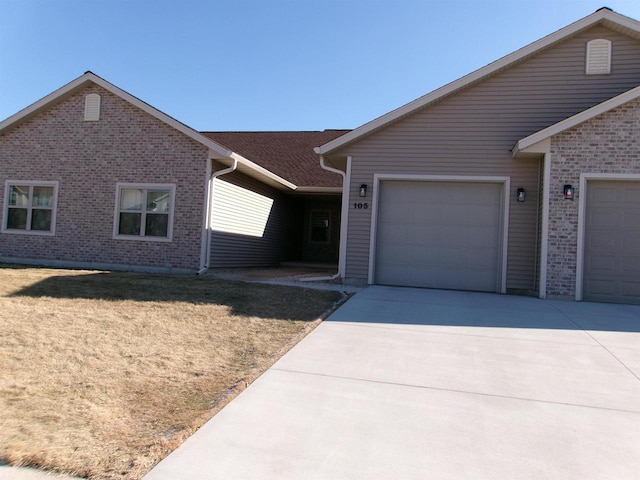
[609, 143]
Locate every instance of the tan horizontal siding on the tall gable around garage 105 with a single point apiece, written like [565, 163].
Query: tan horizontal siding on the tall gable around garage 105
[472, 132]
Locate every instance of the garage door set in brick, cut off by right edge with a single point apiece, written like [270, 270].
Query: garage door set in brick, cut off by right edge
[612, 242]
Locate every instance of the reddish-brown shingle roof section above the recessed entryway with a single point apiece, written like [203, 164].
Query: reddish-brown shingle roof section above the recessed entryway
[289, 155]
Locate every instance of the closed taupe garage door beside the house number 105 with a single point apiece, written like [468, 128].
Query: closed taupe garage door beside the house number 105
[439, 235]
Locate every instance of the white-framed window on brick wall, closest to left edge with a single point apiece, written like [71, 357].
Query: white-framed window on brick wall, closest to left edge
[30, 207]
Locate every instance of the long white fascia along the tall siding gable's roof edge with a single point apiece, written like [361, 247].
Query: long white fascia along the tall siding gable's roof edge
[482, 73]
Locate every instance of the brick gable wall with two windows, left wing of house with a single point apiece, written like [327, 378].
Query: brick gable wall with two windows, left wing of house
[88, 159]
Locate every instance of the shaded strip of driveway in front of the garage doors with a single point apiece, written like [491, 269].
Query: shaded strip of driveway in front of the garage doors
[423, 307]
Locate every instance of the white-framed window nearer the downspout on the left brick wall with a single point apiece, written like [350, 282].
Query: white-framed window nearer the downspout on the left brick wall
[144, 211]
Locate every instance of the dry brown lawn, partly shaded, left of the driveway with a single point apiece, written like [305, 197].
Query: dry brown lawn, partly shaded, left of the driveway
[103, 374]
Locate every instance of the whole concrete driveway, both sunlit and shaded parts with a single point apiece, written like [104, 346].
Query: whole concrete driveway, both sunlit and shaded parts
[413, 384]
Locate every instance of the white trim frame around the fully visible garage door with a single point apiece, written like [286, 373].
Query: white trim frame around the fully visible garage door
[505, 181]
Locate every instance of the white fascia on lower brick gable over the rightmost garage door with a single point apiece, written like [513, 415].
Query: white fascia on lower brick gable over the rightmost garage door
[528, 144]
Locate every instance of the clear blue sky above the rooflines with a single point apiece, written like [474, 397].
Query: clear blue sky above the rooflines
[268, 64]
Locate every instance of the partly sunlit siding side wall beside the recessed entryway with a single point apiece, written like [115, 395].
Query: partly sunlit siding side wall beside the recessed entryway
[251, 223]
